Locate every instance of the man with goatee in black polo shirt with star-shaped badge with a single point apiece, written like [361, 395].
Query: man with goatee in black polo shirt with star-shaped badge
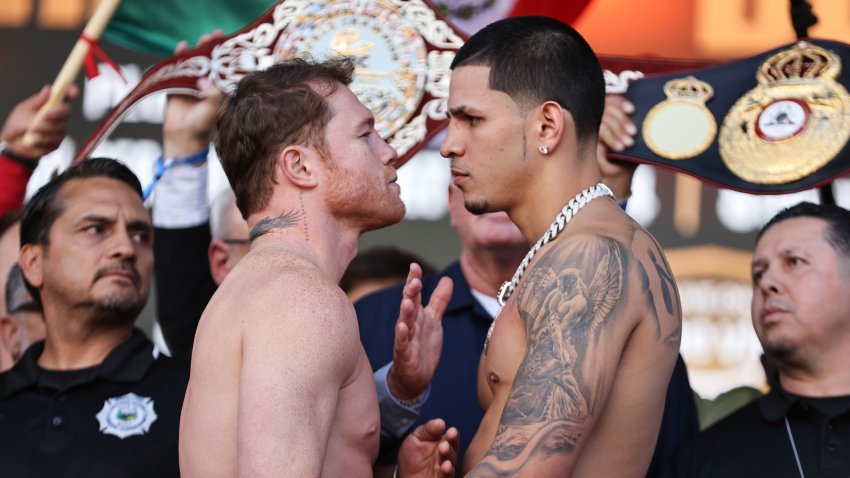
[95, 398]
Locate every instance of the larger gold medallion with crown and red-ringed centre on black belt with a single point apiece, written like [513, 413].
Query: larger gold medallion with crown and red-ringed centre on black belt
[794, 122]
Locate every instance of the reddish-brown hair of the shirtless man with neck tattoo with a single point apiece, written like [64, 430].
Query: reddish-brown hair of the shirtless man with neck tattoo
[269, 110]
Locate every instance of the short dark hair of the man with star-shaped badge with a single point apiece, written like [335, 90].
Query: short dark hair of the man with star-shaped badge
[46, 205]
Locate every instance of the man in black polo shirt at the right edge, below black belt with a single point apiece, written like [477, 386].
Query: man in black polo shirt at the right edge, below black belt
[801, 314]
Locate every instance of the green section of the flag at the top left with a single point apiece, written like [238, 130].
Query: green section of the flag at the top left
[156, 26]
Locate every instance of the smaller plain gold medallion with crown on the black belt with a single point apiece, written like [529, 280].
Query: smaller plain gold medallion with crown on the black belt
[681, 126]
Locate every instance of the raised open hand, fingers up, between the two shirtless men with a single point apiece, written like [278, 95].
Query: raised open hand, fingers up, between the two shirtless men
[418, 337]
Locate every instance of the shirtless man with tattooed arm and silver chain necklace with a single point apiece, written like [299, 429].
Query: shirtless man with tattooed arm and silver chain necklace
[578, 360]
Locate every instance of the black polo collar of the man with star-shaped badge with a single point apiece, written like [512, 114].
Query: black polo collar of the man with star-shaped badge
[128, 362]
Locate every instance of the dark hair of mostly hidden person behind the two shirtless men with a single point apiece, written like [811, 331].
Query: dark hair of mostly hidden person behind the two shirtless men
[381, 263]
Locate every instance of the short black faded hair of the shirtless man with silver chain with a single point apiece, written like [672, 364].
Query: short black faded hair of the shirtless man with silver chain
[539, 59]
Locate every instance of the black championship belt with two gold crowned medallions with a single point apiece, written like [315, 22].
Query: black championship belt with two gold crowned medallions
[784, 116]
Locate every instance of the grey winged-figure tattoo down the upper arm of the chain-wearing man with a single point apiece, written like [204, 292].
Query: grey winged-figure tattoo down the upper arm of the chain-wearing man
[566, 301]
